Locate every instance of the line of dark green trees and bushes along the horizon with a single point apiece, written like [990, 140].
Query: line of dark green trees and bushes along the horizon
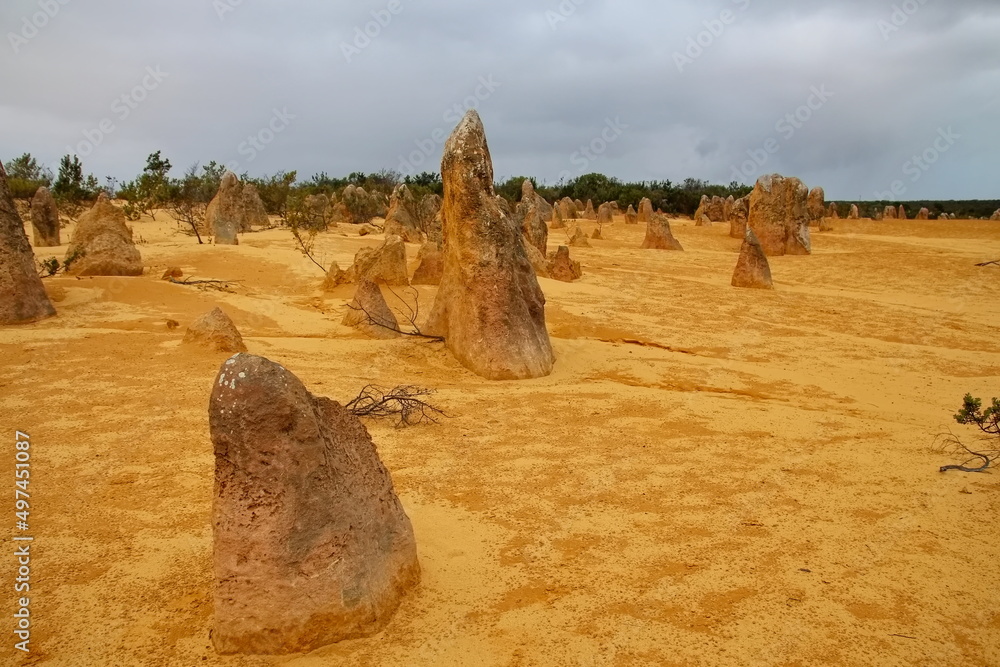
[154, 189]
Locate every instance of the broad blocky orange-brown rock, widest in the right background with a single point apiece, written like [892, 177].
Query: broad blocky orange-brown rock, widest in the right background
[778, 215]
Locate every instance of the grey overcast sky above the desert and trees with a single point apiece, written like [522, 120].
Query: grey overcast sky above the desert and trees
[841, 93]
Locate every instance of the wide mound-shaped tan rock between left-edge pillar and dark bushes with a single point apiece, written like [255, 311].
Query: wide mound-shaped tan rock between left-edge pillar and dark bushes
[102, 244]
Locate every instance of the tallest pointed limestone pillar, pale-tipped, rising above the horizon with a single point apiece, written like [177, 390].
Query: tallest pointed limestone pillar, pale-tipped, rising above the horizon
[489, 308]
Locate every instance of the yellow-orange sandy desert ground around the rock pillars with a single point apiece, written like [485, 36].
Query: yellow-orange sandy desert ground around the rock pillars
[710, 476]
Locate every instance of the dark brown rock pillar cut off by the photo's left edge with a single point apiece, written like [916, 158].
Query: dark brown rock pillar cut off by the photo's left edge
[22, 295]
